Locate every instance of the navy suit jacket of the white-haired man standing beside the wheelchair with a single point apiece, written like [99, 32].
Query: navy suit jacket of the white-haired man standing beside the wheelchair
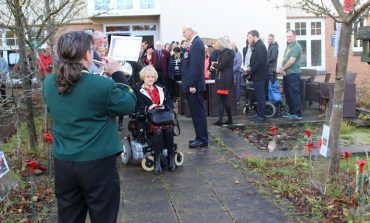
[193, 67]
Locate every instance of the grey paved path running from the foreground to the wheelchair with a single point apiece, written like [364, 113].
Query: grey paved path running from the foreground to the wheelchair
[207, 188]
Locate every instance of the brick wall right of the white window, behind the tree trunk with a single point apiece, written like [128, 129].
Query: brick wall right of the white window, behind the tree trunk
[354, 62]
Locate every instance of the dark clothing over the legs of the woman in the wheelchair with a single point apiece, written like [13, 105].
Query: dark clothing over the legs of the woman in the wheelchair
[162, 139]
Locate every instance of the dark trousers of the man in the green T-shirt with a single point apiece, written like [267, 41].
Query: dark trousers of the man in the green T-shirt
[291, 84]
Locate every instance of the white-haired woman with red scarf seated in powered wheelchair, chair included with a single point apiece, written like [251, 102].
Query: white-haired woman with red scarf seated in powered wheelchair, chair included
[158, 136]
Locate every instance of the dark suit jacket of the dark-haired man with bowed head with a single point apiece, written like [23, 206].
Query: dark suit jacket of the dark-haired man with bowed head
[258, 65]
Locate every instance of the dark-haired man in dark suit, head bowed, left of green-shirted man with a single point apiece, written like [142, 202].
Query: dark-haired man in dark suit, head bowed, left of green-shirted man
[258, 72]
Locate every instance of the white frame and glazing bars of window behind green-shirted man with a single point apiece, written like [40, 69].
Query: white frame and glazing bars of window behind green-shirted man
[308, 38]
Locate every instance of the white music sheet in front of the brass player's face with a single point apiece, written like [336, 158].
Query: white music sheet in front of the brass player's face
[125, 48]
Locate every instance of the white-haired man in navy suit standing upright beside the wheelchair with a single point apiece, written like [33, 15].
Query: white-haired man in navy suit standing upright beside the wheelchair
[193, 85]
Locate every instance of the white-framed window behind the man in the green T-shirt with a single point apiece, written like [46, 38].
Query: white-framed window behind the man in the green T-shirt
[311, 37]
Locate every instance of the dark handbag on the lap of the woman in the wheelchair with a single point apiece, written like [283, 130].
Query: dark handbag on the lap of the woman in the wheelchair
[161, 116]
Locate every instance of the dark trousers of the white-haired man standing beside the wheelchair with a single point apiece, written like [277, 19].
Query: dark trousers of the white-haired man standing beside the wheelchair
[198, 115]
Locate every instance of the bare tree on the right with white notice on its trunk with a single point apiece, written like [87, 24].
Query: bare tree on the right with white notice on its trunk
[347, 18]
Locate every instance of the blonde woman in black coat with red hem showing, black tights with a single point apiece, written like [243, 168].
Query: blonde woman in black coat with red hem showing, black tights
[224, 79]
